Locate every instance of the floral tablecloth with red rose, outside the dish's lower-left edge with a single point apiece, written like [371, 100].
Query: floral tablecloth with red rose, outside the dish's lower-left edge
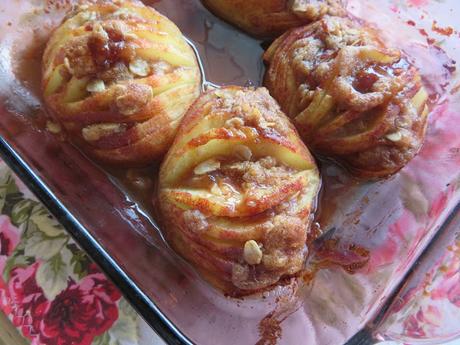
[49, 289]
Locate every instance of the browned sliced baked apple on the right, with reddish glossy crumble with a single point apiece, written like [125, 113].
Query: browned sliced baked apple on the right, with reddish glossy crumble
[350, 96]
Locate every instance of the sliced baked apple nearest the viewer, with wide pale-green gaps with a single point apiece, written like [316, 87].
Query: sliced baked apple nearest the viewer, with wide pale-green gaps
[237, 191]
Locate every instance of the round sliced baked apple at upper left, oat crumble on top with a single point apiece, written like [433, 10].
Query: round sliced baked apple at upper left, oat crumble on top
[119, 76]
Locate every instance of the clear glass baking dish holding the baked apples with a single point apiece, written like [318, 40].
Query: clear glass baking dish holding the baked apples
[350, 293]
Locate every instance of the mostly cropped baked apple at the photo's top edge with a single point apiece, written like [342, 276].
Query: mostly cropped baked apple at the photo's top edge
[269, 18]
